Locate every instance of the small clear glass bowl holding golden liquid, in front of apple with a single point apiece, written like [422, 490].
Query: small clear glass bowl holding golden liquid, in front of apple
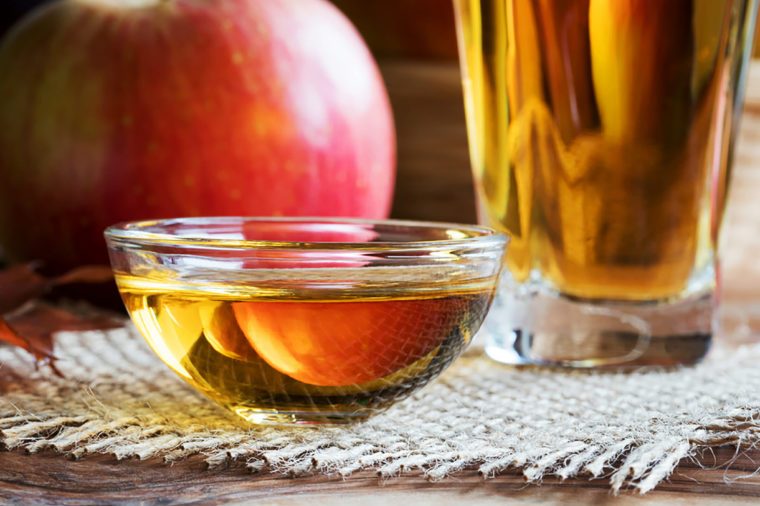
[290, 321]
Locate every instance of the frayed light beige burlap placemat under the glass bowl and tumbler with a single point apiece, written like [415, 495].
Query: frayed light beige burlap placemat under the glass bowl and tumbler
[118, 398]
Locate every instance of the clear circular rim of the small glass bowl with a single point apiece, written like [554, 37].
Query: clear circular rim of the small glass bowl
[135, 233]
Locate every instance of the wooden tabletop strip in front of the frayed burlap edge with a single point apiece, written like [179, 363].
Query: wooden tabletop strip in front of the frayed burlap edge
[51, 479]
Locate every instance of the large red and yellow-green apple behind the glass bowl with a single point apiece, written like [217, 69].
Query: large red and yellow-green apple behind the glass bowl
[116, 110]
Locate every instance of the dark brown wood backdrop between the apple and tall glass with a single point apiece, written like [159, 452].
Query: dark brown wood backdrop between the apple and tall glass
[434, 180]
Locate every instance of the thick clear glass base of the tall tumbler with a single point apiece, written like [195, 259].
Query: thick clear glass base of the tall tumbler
[551, 329]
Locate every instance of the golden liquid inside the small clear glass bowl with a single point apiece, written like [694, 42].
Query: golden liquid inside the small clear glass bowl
[262, 351]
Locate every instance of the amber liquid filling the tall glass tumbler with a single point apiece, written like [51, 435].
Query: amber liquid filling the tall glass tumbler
[600, 135]
